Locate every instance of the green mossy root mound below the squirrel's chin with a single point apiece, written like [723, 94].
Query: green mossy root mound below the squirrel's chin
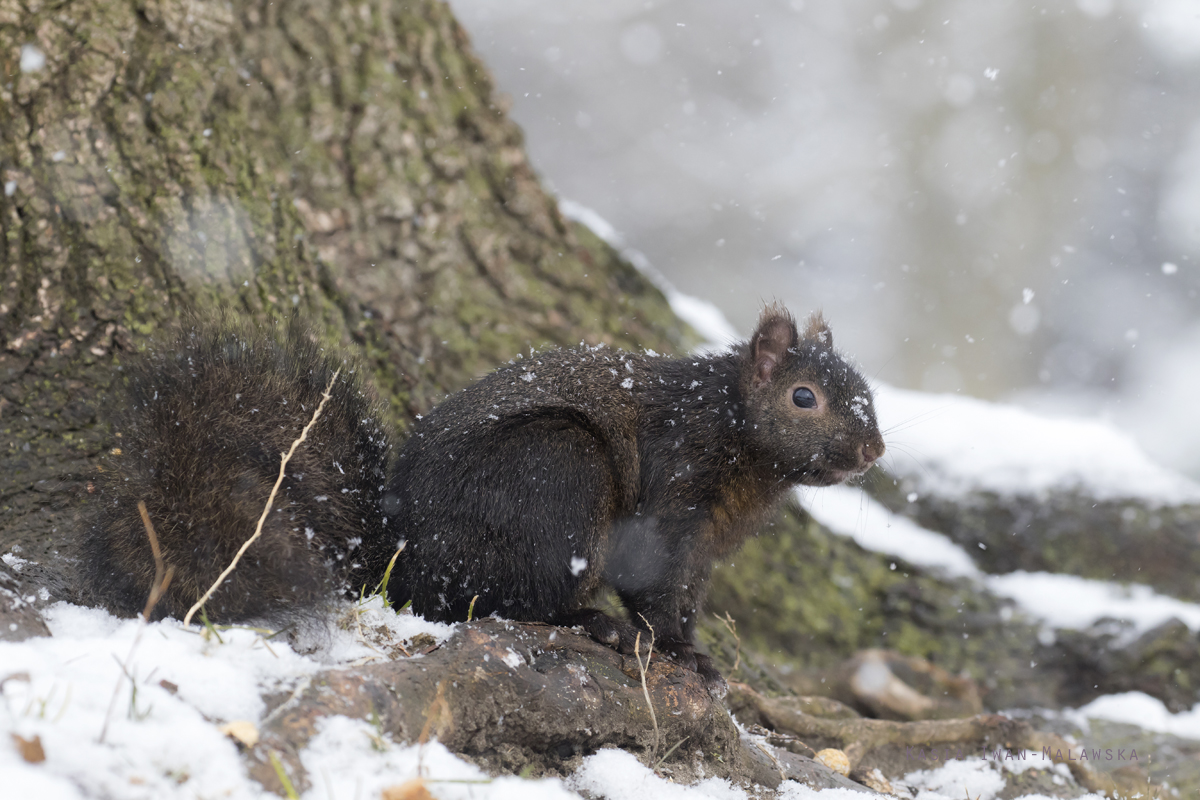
[806, 600]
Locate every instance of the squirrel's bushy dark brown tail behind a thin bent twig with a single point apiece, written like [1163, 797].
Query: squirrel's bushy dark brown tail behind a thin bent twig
[207, 418]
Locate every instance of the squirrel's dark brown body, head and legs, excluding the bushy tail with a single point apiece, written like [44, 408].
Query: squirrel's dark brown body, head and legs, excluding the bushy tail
[574, 470]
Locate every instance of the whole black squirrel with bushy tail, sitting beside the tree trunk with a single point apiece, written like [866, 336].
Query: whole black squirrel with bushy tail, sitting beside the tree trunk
[521, 496]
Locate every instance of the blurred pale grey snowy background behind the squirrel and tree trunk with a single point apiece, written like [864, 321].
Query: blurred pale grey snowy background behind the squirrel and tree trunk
[998, 199]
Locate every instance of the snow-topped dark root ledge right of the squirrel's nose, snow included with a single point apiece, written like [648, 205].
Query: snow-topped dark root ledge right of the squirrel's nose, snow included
[1019, 491]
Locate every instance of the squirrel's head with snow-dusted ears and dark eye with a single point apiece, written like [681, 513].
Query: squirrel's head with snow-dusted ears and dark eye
[809, 414]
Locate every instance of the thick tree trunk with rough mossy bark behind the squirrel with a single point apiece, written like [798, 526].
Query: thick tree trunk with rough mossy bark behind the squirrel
[350, 161]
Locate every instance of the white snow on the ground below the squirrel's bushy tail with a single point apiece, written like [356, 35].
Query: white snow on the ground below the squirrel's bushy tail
[164, 739]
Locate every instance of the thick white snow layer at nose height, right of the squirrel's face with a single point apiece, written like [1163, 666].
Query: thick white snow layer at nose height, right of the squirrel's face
[950, 446]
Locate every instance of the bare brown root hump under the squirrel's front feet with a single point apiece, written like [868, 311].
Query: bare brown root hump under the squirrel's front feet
[520, 697]
